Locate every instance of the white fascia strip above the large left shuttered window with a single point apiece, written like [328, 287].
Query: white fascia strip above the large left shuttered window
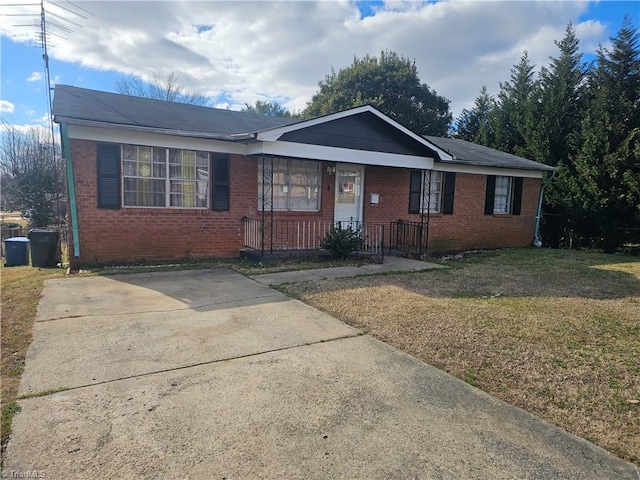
[81, 132]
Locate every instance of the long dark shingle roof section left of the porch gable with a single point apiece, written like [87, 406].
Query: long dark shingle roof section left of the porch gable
[81, 105]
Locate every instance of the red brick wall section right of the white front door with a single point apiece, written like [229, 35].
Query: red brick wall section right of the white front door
[468, 227]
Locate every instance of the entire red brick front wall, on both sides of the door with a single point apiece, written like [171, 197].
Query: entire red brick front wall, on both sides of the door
[147, 234]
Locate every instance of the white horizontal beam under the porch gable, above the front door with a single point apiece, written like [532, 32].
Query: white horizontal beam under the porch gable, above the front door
[343, 155]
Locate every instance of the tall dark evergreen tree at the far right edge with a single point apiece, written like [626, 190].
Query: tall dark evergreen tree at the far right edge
[604, 188]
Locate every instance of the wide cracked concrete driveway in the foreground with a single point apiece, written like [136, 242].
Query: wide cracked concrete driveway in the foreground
[208, 374]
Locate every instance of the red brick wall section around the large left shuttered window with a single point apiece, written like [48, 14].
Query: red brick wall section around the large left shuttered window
[143, 234]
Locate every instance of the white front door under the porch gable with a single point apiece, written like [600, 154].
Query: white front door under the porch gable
[349, 193]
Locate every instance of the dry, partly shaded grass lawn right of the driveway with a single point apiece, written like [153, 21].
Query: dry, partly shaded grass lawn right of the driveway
[556, 333]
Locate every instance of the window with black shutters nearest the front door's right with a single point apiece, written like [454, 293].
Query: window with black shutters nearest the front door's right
[431, 191]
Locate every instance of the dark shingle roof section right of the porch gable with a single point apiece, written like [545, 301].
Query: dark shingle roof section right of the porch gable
[468, 153]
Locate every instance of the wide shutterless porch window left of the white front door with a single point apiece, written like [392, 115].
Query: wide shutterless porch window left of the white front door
[296, 184]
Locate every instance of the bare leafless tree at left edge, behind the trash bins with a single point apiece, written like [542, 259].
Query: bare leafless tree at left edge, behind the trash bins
[31, 173]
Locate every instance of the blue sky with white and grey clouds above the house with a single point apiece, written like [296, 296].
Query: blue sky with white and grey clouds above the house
[239, 52]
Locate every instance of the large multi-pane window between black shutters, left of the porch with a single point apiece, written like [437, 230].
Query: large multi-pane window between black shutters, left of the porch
[165, 177]
